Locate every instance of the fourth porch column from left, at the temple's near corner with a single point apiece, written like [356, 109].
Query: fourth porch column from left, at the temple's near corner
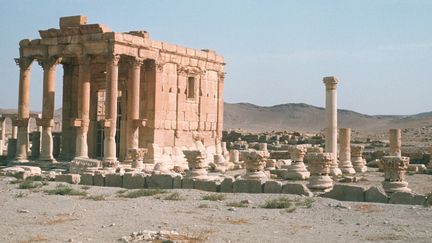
[110, 158]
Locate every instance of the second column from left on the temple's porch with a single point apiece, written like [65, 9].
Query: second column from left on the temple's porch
[47, 122]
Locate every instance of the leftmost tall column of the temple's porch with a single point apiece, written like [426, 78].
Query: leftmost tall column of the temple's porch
[23, 109]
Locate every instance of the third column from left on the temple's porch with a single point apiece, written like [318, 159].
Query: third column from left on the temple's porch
[82, 123]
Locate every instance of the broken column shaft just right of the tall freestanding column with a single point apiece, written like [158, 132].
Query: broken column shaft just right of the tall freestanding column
[345, 151]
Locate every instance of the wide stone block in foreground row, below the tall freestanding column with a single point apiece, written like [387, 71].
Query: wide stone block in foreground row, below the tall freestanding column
[346, 193]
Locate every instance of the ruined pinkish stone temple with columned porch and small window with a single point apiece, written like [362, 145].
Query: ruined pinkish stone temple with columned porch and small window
[121, 91]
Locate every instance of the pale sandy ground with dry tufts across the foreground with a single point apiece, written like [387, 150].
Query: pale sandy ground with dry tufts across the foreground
[34, 216]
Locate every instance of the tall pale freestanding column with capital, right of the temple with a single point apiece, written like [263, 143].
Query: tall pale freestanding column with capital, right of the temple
[331, 122]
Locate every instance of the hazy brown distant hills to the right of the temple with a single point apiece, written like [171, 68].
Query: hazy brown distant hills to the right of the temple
[304, 117]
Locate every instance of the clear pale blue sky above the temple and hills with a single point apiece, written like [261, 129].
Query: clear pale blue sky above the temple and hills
[276, 51]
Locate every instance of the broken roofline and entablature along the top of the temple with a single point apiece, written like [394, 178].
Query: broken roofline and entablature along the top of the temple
[75, 34]
